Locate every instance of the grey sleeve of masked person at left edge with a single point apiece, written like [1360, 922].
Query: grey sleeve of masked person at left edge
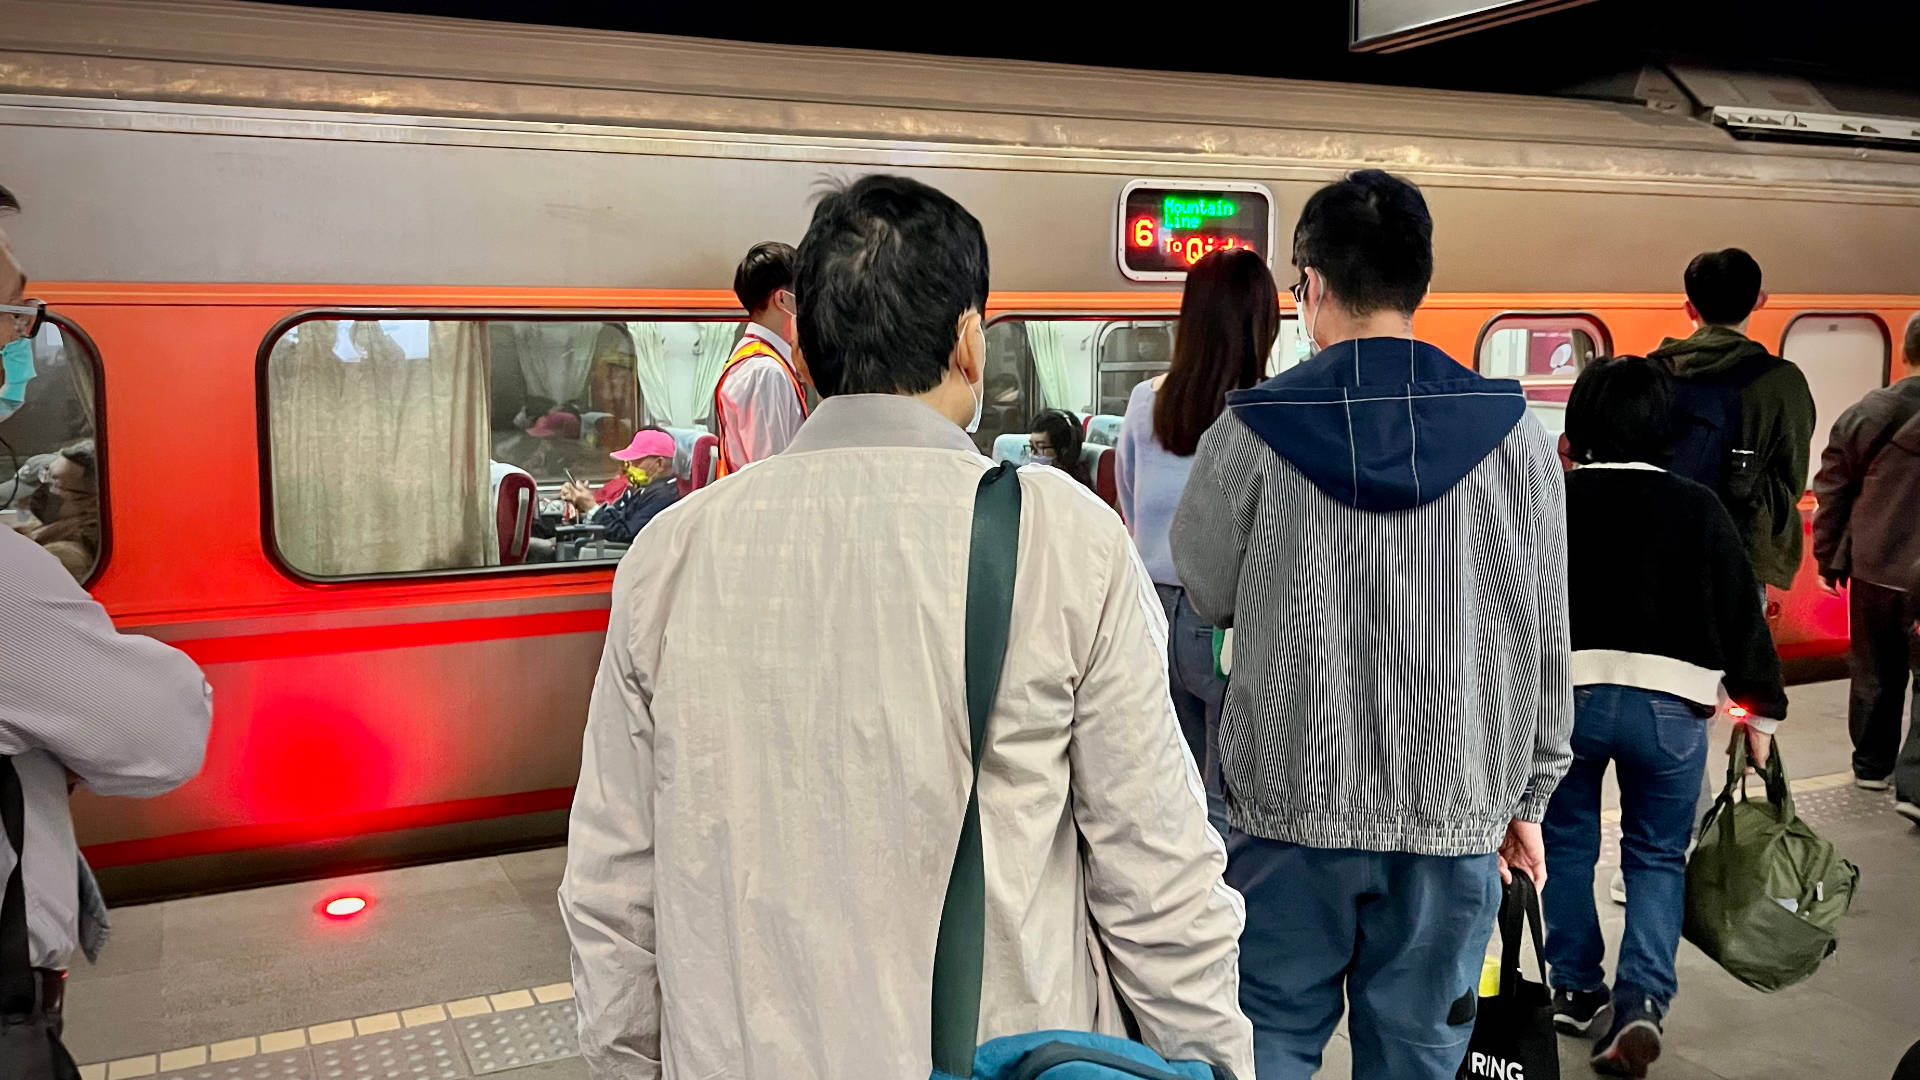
[126, 714]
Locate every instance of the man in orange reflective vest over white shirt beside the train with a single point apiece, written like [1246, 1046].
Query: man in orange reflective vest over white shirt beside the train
[759, 401]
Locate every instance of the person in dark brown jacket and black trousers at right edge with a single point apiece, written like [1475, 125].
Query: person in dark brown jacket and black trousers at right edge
[1865, 539]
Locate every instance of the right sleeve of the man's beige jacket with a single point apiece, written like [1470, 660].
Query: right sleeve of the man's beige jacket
[1155, 866]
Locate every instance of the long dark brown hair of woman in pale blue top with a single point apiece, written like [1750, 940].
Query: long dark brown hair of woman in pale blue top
[1230, 316]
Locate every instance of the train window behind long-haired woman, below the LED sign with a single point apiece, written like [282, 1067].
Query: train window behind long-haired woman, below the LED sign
[1084, 364]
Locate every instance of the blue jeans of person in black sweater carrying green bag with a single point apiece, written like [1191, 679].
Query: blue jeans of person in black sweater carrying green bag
[1658, 745]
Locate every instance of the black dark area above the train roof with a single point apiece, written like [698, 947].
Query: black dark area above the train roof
[1595, 49]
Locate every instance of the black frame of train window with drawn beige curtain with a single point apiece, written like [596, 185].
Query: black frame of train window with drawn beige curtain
[264, 430]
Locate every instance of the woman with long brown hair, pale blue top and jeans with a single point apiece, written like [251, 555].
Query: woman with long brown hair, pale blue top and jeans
[1230, 316]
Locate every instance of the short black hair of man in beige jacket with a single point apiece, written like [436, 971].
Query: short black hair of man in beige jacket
[884, 276]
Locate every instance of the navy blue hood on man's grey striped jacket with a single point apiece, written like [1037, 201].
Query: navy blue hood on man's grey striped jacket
[1381, 424]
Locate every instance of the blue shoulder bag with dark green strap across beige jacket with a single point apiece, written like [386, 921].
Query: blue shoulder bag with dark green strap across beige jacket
[957, 954]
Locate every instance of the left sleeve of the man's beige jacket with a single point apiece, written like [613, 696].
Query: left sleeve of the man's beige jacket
[608, 889]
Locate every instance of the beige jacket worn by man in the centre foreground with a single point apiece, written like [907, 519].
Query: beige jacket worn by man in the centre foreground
[777, 770]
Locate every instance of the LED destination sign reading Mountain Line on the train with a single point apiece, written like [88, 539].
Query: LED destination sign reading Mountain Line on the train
[1166, 230]
